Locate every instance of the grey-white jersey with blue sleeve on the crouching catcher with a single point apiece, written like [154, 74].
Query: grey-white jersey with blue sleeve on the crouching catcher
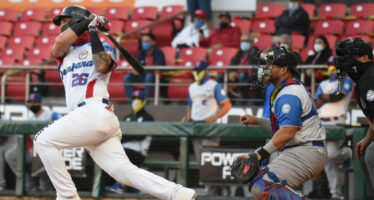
[294, 106]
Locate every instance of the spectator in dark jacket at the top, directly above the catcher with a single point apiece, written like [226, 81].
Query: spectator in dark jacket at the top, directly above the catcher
[293, 19]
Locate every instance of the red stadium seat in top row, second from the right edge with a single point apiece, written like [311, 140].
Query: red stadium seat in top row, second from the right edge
[332, 10]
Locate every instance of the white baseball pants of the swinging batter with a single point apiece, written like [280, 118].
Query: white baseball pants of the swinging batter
[97, 129]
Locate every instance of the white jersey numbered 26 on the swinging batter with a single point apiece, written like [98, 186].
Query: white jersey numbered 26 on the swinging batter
[79, 76]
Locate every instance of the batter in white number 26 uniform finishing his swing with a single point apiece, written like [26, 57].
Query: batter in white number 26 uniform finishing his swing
[85, 65]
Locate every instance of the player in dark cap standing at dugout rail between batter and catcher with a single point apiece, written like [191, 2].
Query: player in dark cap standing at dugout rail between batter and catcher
[207, 102]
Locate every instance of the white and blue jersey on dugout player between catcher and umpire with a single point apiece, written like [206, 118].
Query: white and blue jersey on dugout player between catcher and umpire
[338, 108]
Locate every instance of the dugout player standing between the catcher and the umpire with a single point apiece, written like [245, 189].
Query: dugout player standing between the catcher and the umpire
[333, 110]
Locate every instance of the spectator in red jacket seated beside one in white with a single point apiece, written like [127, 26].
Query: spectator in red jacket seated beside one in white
[225, 36]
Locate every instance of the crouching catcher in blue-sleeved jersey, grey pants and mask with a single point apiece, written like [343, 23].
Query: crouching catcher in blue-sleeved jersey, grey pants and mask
[297, 133]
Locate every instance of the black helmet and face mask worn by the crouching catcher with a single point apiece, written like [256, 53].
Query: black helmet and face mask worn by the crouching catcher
[265, 60]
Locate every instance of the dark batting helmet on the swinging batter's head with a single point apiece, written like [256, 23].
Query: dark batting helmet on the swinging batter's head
[77, 14]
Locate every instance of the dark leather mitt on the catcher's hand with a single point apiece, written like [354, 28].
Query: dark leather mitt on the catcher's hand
[245, 169]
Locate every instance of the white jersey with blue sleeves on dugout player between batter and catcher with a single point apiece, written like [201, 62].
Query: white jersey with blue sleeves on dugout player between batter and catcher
[204, 99]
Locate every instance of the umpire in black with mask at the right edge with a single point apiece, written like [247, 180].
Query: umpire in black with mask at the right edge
[356, 58]
